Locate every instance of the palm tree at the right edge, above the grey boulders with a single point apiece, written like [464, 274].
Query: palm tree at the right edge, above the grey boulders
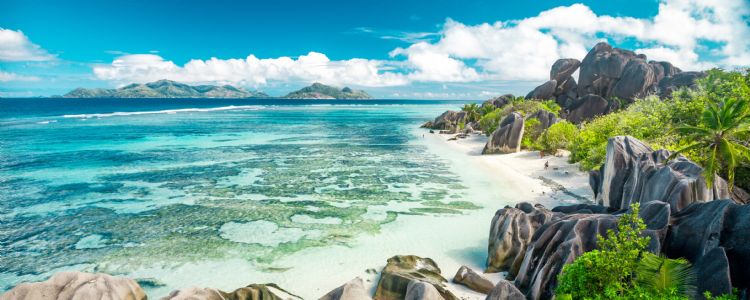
[717, 136]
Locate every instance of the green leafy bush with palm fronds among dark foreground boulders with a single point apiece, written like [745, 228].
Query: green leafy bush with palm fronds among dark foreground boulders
[622, 269]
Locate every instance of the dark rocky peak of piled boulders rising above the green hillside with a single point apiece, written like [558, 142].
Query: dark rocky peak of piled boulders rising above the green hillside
[609, 73]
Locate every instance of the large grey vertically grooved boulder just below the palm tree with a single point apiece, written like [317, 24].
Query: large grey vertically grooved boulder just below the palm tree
[633, 172]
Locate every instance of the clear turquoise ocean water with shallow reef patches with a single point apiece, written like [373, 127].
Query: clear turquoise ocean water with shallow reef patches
[115, 186]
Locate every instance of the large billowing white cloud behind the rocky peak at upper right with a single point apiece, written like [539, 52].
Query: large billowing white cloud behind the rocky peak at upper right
[525, 49]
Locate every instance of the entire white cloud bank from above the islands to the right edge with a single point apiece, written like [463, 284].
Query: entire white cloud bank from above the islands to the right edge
[692, 34]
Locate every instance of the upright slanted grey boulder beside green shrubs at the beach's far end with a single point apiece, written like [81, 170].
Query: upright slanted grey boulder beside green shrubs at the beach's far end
[507, 137]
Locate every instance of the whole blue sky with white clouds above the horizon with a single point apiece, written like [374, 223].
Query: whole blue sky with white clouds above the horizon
[393, 49]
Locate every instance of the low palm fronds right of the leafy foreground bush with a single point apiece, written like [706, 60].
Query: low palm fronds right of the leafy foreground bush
[663, 275]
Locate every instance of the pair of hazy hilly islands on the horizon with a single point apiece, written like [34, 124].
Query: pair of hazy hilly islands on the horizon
[172, 89]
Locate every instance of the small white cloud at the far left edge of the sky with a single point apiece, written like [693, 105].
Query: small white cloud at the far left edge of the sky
[15, 46]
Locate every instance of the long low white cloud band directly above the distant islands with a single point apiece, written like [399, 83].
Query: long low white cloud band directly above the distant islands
[251, 71]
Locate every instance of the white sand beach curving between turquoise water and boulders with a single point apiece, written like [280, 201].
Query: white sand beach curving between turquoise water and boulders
[493, 181]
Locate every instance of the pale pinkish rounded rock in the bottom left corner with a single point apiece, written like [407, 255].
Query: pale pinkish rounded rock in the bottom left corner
[77, 285]
